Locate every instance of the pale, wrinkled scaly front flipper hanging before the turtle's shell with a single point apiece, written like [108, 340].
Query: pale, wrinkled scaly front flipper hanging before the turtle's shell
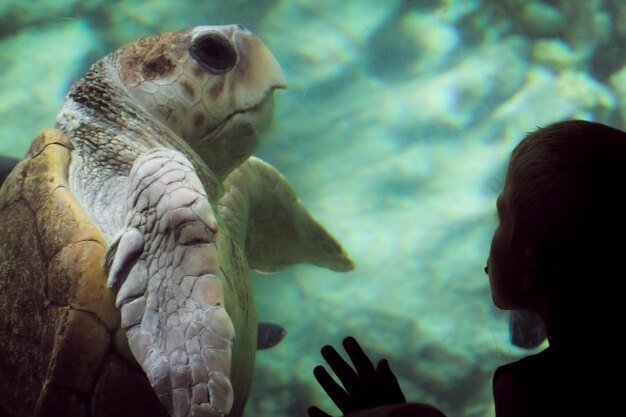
[170, 295]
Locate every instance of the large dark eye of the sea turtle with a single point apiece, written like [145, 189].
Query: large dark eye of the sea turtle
[214, 52]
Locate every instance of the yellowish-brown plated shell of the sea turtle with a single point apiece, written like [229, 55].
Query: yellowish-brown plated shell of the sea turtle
[60, 336]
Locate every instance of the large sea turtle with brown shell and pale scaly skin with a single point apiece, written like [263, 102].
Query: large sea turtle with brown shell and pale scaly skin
[128, 230]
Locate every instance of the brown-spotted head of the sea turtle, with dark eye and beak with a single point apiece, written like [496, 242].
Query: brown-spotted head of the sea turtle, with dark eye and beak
[212, 85]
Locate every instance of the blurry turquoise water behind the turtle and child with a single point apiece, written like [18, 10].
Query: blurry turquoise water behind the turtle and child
[395, 132]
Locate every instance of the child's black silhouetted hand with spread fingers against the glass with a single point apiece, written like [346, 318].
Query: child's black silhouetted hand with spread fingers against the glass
[366, 391]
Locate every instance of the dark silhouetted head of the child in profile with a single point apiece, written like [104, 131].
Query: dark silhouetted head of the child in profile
[561, 214]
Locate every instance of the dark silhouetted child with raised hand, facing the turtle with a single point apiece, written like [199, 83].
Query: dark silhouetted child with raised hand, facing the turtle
[558, 252]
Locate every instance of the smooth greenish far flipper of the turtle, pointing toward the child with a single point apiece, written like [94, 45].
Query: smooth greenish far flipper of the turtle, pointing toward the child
[264, 215]
